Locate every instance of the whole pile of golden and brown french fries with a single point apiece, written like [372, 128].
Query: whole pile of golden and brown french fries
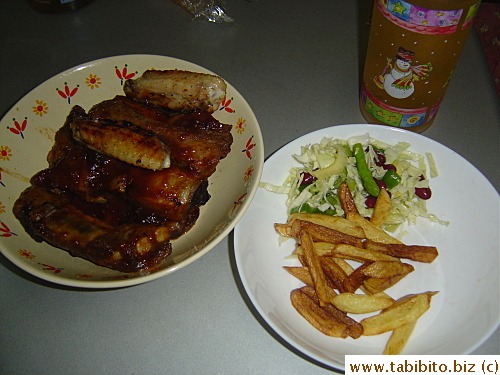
[334, 289]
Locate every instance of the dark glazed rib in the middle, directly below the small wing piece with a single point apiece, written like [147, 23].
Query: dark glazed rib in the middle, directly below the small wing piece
[170, 193]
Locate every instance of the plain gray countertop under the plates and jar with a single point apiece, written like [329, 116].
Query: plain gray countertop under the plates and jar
[297, 64]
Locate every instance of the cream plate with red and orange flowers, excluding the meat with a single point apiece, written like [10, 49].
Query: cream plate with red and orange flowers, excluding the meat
[27, 135]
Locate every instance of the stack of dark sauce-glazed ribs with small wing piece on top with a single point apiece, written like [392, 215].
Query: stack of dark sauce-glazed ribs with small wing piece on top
[123, 180]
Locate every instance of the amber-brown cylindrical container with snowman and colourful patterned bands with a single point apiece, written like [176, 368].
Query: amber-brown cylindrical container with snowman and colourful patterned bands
[412, 51]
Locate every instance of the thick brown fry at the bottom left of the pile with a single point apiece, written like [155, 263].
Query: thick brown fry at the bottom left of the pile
[317, 316]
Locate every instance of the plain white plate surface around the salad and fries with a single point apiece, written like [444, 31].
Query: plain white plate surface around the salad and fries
[464, 313]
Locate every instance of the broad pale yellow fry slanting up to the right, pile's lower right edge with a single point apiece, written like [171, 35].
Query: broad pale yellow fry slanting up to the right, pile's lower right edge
[404, 311]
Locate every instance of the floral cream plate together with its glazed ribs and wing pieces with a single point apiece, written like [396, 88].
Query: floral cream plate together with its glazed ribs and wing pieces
[122, 170]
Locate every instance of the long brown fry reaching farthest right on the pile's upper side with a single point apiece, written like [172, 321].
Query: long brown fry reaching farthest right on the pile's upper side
[425, 254]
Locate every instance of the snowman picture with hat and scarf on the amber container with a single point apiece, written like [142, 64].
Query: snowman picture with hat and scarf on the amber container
[398, 79]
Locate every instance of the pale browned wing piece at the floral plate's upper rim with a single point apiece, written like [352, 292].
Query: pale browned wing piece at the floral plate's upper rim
[178, 90]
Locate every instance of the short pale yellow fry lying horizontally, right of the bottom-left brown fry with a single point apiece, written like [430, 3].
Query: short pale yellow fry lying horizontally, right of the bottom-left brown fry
[360, 303]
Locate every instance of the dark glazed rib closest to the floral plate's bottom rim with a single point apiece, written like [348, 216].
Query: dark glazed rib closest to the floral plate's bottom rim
[126, 248]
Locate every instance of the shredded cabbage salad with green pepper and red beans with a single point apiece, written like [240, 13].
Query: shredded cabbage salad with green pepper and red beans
[366, 165]
